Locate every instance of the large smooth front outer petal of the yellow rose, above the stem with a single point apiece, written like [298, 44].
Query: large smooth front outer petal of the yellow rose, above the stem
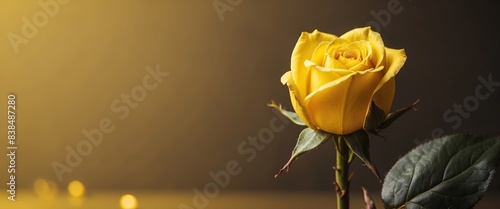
[340, 106]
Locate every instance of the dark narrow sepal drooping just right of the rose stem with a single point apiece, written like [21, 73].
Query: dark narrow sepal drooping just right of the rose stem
[359, 143]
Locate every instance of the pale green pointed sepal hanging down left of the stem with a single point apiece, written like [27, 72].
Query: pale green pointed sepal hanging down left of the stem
[308, 140]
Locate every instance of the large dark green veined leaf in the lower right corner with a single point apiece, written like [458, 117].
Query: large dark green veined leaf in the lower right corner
[449, 172]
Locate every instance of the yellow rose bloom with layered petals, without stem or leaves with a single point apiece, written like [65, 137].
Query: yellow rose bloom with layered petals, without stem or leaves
[333, 80]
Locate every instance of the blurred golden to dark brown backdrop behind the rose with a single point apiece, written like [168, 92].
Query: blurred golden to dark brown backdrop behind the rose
[216, 64]
